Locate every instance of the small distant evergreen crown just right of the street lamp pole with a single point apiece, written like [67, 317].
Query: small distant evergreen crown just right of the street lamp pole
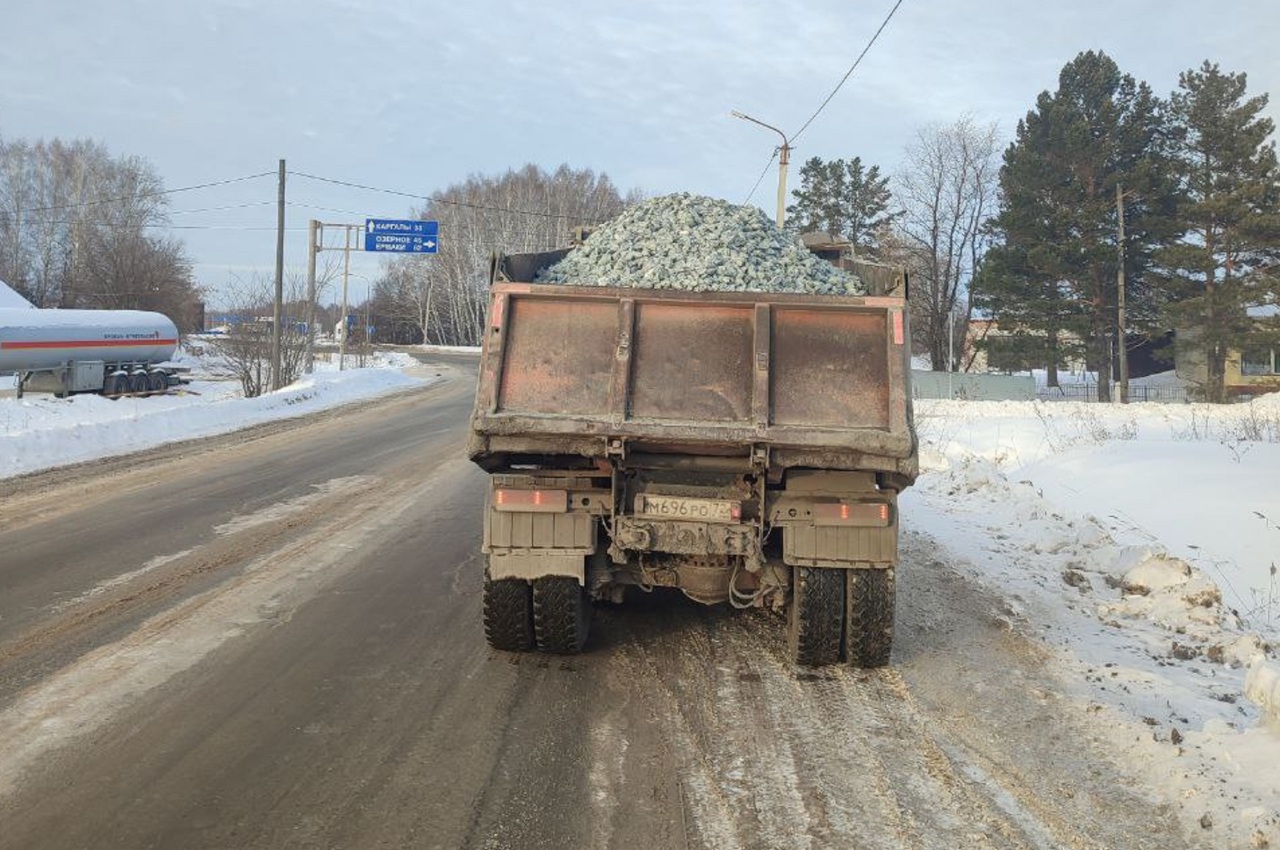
[843, 199]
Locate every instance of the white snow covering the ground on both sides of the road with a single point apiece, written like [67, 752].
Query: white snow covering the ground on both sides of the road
[1139, 542]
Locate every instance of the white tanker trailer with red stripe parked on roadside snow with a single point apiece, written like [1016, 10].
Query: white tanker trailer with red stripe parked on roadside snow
[95, 351]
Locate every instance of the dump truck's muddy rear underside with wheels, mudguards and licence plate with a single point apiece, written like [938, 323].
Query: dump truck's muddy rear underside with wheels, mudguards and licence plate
[820, 546]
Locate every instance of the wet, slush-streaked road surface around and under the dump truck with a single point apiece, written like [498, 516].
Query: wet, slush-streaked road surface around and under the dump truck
[273, 641]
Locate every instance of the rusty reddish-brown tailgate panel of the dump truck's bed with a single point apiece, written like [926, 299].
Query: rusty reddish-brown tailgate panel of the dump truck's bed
[588, 372]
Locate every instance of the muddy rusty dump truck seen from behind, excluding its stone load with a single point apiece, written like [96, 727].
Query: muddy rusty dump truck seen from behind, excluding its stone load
[747, 449]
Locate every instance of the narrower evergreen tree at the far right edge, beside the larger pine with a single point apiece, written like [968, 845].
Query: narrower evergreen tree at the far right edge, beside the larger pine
[1231, 189]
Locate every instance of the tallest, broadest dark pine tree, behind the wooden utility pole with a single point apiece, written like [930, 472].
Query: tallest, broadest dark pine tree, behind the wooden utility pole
[1054, 276]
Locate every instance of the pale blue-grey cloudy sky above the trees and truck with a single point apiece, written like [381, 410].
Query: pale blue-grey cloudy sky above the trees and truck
[417, 97]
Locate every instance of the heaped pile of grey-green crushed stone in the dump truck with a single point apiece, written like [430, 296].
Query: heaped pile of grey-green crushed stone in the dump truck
[698, 244]
